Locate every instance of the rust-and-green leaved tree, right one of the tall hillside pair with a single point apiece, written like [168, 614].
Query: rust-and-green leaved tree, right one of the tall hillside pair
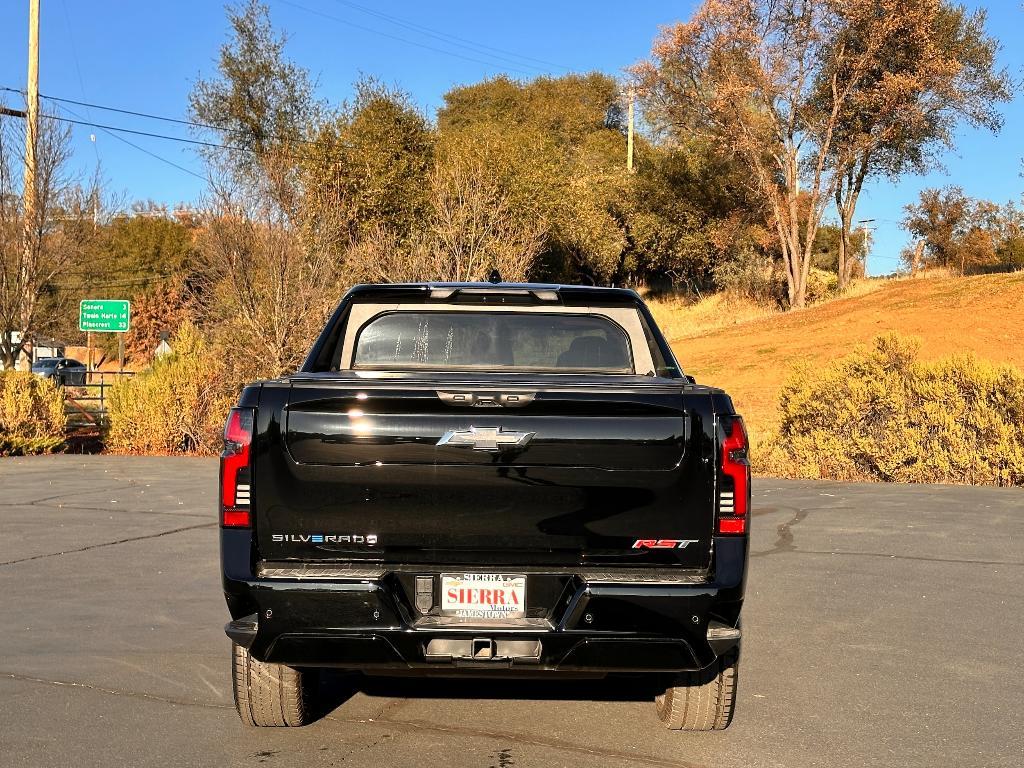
[936, 68]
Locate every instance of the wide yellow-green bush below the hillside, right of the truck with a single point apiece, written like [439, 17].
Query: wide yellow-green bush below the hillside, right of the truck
[880, 414]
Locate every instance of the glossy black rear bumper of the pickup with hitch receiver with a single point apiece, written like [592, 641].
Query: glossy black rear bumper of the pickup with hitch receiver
[585, 622]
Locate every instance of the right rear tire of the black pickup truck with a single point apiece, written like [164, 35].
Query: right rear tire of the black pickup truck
[702, 701]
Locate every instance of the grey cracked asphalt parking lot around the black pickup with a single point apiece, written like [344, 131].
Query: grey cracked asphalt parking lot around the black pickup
[883, 627]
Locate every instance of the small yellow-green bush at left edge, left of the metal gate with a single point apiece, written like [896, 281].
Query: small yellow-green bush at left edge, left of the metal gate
[32, 418]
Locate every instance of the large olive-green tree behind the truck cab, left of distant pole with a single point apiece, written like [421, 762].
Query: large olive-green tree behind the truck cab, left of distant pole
[558, 146]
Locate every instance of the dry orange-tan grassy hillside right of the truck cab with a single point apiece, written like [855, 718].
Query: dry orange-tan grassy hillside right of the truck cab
[751, 358]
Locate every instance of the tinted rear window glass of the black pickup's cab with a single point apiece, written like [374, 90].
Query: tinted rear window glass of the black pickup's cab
[493, 342]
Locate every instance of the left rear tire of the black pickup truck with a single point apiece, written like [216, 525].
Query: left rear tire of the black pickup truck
[271, 695]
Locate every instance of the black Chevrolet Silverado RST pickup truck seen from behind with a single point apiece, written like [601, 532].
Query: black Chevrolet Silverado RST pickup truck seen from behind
[491, 481]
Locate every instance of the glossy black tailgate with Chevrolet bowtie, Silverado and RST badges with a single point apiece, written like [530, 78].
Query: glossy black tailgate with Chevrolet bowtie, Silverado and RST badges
[531, 474]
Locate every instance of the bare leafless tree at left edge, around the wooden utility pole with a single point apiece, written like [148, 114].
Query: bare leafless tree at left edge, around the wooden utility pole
[34, 255]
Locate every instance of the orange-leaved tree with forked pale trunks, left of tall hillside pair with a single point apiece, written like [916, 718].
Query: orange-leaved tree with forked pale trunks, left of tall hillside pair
[775, 83]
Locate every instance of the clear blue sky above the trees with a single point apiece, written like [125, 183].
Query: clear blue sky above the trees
[145, 57]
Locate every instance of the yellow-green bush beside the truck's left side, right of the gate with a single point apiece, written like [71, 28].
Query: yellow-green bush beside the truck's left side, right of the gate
[179, 406]
